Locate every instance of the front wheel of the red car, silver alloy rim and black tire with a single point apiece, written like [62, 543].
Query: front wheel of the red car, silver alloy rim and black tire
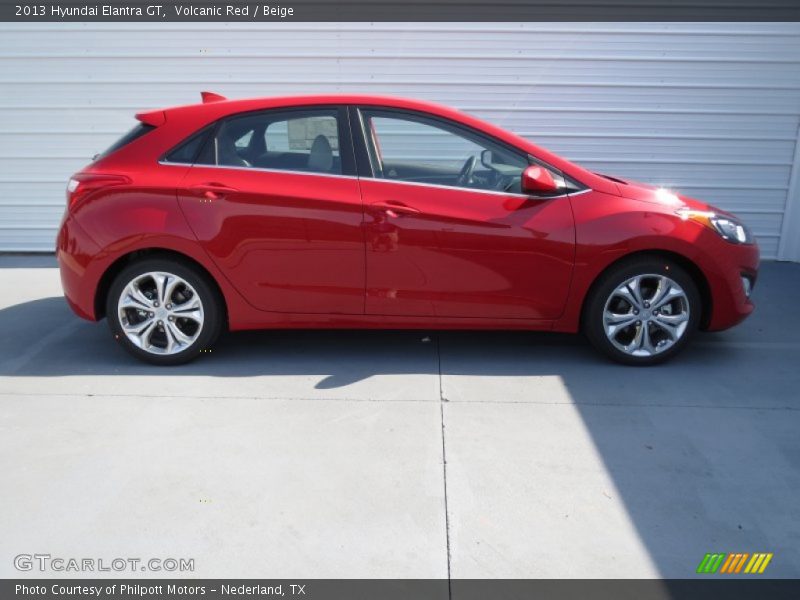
[626, 318]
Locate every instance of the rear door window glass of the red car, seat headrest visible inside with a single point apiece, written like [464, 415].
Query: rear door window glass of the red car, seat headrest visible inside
[297, 140]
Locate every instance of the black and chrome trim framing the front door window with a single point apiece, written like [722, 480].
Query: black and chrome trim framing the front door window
[365, 156]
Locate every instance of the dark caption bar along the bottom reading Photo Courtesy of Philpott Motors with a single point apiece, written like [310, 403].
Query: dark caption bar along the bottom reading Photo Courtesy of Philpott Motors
[730, 588]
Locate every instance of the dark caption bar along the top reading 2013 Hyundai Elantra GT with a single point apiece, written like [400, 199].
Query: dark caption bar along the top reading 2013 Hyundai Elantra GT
[394, 10]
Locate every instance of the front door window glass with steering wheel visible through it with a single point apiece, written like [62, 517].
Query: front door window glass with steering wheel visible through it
[420, 150]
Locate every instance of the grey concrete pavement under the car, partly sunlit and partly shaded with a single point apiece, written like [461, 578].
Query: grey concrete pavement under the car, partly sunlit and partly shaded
[379, 454]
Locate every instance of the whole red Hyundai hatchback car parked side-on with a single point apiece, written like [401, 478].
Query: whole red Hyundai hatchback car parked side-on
[362, 211]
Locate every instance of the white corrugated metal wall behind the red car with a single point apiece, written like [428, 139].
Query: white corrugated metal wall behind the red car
[710, 109]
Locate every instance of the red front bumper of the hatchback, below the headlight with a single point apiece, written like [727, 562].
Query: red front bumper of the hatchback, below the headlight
[730, 304]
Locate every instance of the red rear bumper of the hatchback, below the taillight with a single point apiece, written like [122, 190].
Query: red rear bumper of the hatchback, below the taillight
[76, 254]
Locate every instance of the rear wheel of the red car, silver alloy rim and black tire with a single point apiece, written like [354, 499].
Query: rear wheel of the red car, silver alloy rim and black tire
[173, 331]
